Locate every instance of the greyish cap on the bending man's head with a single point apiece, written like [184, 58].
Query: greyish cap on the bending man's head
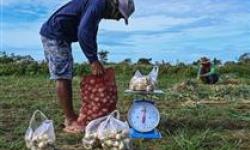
[126, 8]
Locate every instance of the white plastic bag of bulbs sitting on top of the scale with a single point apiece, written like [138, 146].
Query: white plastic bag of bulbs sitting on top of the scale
[141, 82]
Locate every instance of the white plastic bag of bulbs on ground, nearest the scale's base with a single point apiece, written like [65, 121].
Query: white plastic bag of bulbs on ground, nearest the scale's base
[113, 133]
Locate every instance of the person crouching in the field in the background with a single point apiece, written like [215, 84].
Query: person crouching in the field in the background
[207, 72]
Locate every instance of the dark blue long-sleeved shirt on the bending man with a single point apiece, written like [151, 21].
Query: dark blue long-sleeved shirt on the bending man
[77, 20]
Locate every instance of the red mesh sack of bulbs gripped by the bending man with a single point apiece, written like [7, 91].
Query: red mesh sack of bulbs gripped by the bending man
[98, 96]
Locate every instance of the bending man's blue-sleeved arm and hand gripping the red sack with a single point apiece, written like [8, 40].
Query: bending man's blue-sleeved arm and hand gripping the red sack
[87, 35]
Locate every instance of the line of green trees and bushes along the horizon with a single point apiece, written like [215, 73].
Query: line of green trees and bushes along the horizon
[25, 65]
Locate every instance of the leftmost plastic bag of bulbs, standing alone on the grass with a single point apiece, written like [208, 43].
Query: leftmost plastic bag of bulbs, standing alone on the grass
[40, 134]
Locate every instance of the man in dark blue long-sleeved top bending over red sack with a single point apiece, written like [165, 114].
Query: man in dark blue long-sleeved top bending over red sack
[77, 20]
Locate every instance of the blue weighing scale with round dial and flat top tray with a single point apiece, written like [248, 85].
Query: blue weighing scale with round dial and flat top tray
[143, 116]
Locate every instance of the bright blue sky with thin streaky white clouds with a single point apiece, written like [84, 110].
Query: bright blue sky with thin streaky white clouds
[169, 30]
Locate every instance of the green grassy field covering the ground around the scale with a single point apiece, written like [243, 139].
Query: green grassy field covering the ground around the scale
[193, 116]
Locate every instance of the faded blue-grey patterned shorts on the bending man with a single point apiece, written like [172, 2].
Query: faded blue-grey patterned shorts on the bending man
[58, 54]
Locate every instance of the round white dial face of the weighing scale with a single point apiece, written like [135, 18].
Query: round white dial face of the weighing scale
[143, 116]
